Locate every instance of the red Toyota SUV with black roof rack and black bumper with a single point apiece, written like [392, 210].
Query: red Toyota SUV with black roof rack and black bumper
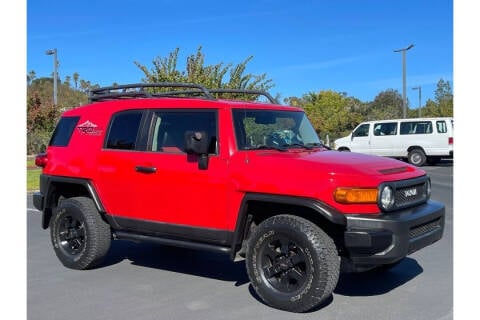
[176, 165]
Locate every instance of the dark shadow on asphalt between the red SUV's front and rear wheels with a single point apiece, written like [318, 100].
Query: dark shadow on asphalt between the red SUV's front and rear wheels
[175, 259]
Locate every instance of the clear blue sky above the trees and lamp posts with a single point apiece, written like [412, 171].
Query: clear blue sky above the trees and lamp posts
[302, 46]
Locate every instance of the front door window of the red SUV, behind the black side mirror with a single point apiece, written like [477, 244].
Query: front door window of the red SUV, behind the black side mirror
[169, 128]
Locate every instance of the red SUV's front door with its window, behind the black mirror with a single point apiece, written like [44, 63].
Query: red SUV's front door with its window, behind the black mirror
[170, 188]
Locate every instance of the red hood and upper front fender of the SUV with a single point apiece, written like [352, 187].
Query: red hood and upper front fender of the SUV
[308, 173]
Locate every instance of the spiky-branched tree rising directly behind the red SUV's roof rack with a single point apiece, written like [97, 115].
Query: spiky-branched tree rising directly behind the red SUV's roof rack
[196, 71]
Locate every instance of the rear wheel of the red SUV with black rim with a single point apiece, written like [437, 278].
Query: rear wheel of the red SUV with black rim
[79, 236]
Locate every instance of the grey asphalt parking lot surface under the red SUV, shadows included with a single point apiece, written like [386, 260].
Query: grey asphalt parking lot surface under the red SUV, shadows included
[145, 281]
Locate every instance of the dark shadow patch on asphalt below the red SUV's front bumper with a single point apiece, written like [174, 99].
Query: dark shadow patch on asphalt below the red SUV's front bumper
[377, 282]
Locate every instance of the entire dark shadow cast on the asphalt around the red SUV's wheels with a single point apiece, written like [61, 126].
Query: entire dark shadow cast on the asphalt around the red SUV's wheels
[220, 267]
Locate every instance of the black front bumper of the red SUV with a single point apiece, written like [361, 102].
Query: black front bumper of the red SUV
[385, 239]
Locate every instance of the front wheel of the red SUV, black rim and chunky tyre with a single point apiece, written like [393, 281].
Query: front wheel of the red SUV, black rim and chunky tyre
[292, 264]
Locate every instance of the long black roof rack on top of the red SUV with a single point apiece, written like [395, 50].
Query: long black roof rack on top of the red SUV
[149, 90]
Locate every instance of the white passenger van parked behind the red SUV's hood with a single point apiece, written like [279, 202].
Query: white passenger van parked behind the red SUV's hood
[419, 140]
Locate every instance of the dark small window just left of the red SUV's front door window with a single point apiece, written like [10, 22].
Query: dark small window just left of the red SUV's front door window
[123, 130]
